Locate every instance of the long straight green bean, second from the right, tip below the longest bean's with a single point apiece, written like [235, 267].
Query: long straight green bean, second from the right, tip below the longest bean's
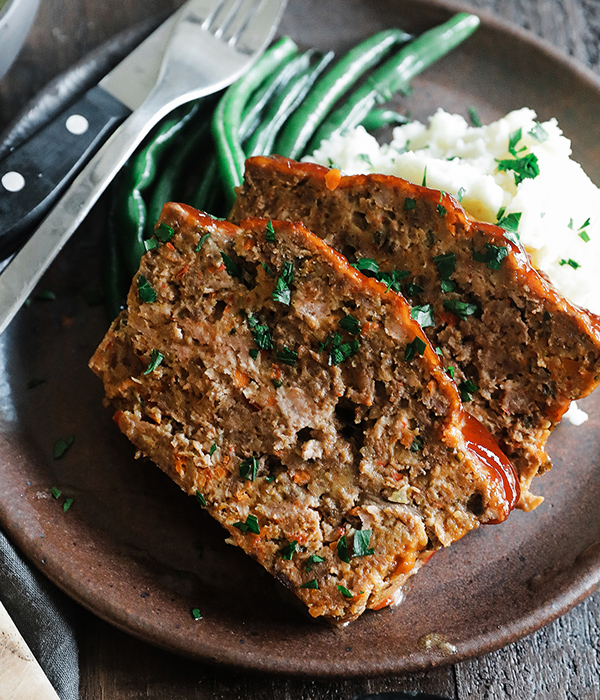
[303, 124]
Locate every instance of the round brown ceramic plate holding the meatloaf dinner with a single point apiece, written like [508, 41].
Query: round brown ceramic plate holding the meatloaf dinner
[139, 553]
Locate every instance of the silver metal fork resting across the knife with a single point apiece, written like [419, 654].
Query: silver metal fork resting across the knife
[213, 43]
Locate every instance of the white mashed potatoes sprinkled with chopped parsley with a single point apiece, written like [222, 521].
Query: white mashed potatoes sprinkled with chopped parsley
[559, 207]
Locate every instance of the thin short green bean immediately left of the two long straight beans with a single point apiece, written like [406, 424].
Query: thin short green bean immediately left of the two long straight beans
[263, 139]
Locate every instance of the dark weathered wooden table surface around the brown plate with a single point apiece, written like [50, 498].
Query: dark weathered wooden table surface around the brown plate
[559, 661]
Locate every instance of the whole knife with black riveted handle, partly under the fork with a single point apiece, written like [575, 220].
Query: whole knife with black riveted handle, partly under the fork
[34, 175]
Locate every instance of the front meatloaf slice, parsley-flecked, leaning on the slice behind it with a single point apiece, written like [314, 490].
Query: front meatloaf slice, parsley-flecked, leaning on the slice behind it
[302, 404]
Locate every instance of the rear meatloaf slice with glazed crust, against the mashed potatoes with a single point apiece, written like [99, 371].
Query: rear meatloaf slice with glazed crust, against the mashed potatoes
[519, 351]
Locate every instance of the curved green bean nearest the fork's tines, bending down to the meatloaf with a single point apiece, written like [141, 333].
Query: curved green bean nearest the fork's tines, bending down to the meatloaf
[228, 114]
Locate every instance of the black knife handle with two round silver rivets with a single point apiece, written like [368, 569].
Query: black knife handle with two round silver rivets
[36, 173]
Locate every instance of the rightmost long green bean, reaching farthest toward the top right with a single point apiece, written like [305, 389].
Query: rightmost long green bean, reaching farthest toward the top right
[396, 73]
